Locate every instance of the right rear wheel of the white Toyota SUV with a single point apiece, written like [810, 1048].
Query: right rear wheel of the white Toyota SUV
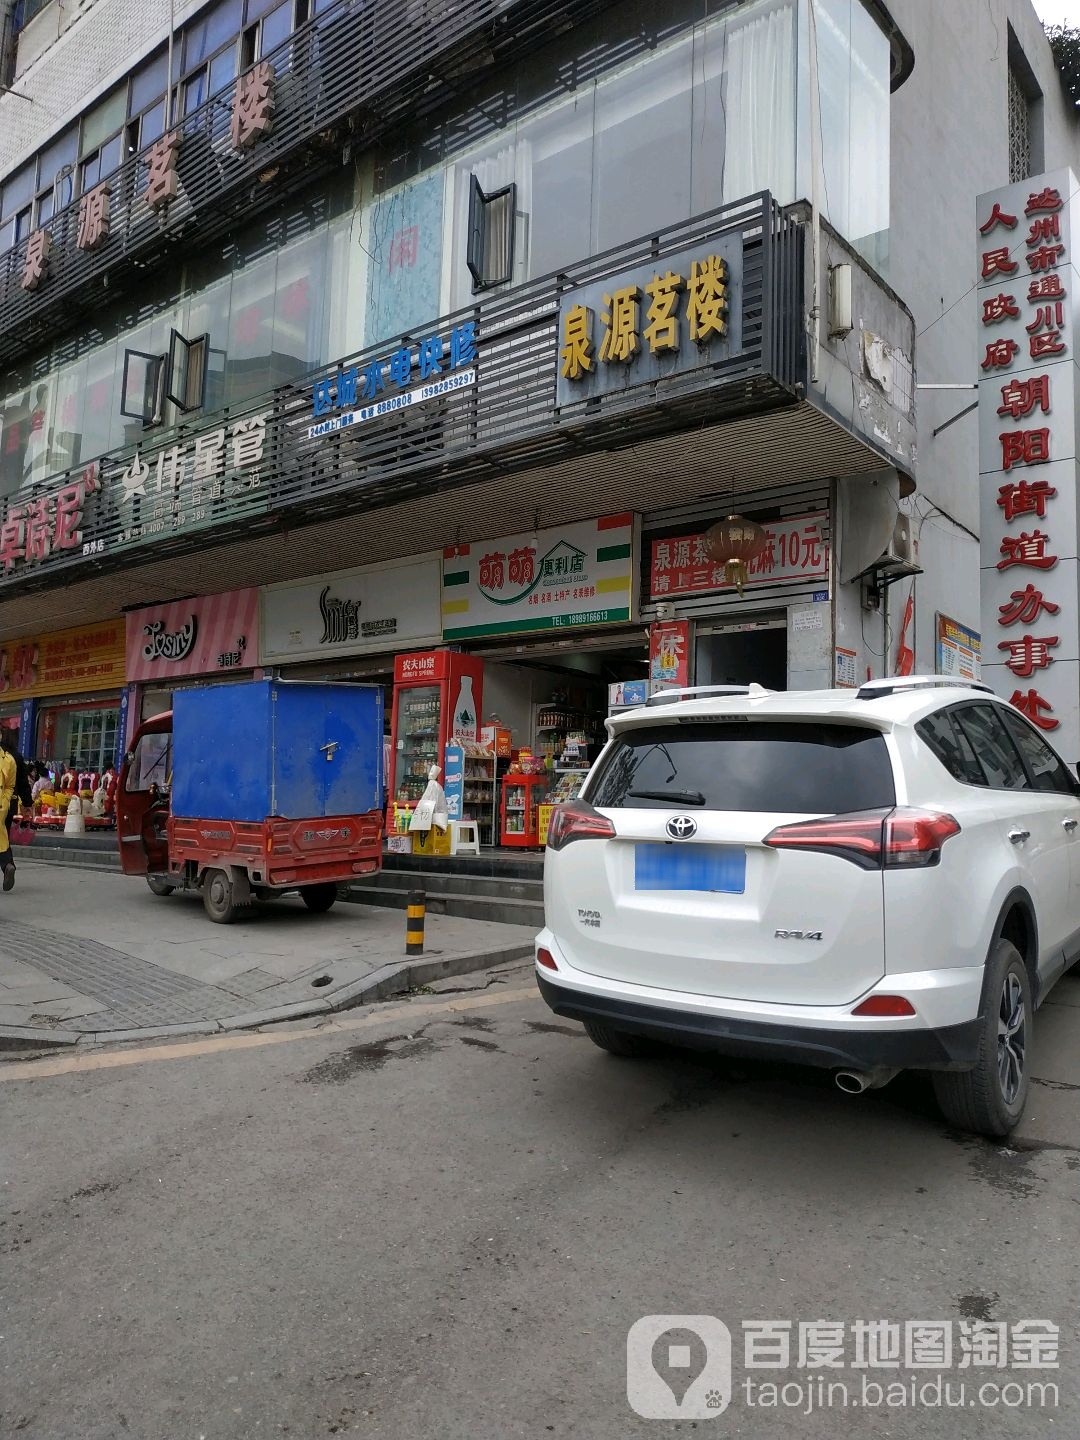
[990, 1098]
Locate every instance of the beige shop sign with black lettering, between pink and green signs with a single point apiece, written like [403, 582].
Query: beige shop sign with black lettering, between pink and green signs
[352, 613]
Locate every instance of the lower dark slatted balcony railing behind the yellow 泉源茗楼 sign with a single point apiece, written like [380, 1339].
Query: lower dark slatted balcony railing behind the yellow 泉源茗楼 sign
[508, 421]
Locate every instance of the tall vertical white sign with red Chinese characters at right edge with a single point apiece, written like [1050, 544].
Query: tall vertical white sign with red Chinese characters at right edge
[1027, 297]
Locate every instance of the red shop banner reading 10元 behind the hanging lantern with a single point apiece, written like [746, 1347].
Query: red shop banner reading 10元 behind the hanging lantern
[794, 551]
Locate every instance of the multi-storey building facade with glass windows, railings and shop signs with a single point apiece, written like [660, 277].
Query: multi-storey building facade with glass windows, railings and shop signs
[364, 329]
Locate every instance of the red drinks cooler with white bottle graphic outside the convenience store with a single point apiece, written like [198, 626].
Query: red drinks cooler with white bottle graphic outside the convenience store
[437, 698]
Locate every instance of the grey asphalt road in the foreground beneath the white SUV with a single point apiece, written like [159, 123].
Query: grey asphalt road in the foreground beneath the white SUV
[444, 1218]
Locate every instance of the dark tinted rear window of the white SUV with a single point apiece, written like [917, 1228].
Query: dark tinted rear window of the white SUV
[747, 765]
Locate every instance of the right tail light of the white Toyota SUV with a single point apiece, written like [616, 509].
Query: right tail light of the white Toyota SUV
[873, 840]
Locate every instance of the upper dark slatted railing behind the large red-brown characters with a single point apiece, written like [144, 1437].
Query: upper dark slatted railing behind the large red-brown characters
[345, 78]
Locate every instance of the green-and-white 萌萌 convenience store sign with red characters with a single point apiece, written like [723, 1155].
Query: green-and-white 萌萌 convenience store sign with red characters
[552, 580]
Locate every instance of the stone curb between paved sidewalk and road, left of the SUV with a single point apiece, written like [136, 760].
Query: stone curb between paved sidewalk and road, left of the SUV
[387, 983]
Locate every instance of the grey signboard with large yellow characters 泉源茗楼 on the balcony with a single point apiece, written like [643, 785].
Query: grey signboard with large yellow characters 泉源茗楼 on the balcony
[652, 323]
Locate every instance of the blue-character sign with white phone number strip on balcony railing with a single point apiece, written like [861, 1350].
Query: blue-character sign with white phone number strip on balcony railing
[359, 394]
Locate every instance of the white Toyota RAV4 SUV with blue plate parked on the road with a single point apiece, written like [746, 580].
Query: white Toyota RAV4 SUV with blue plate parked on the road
[866, 882]
